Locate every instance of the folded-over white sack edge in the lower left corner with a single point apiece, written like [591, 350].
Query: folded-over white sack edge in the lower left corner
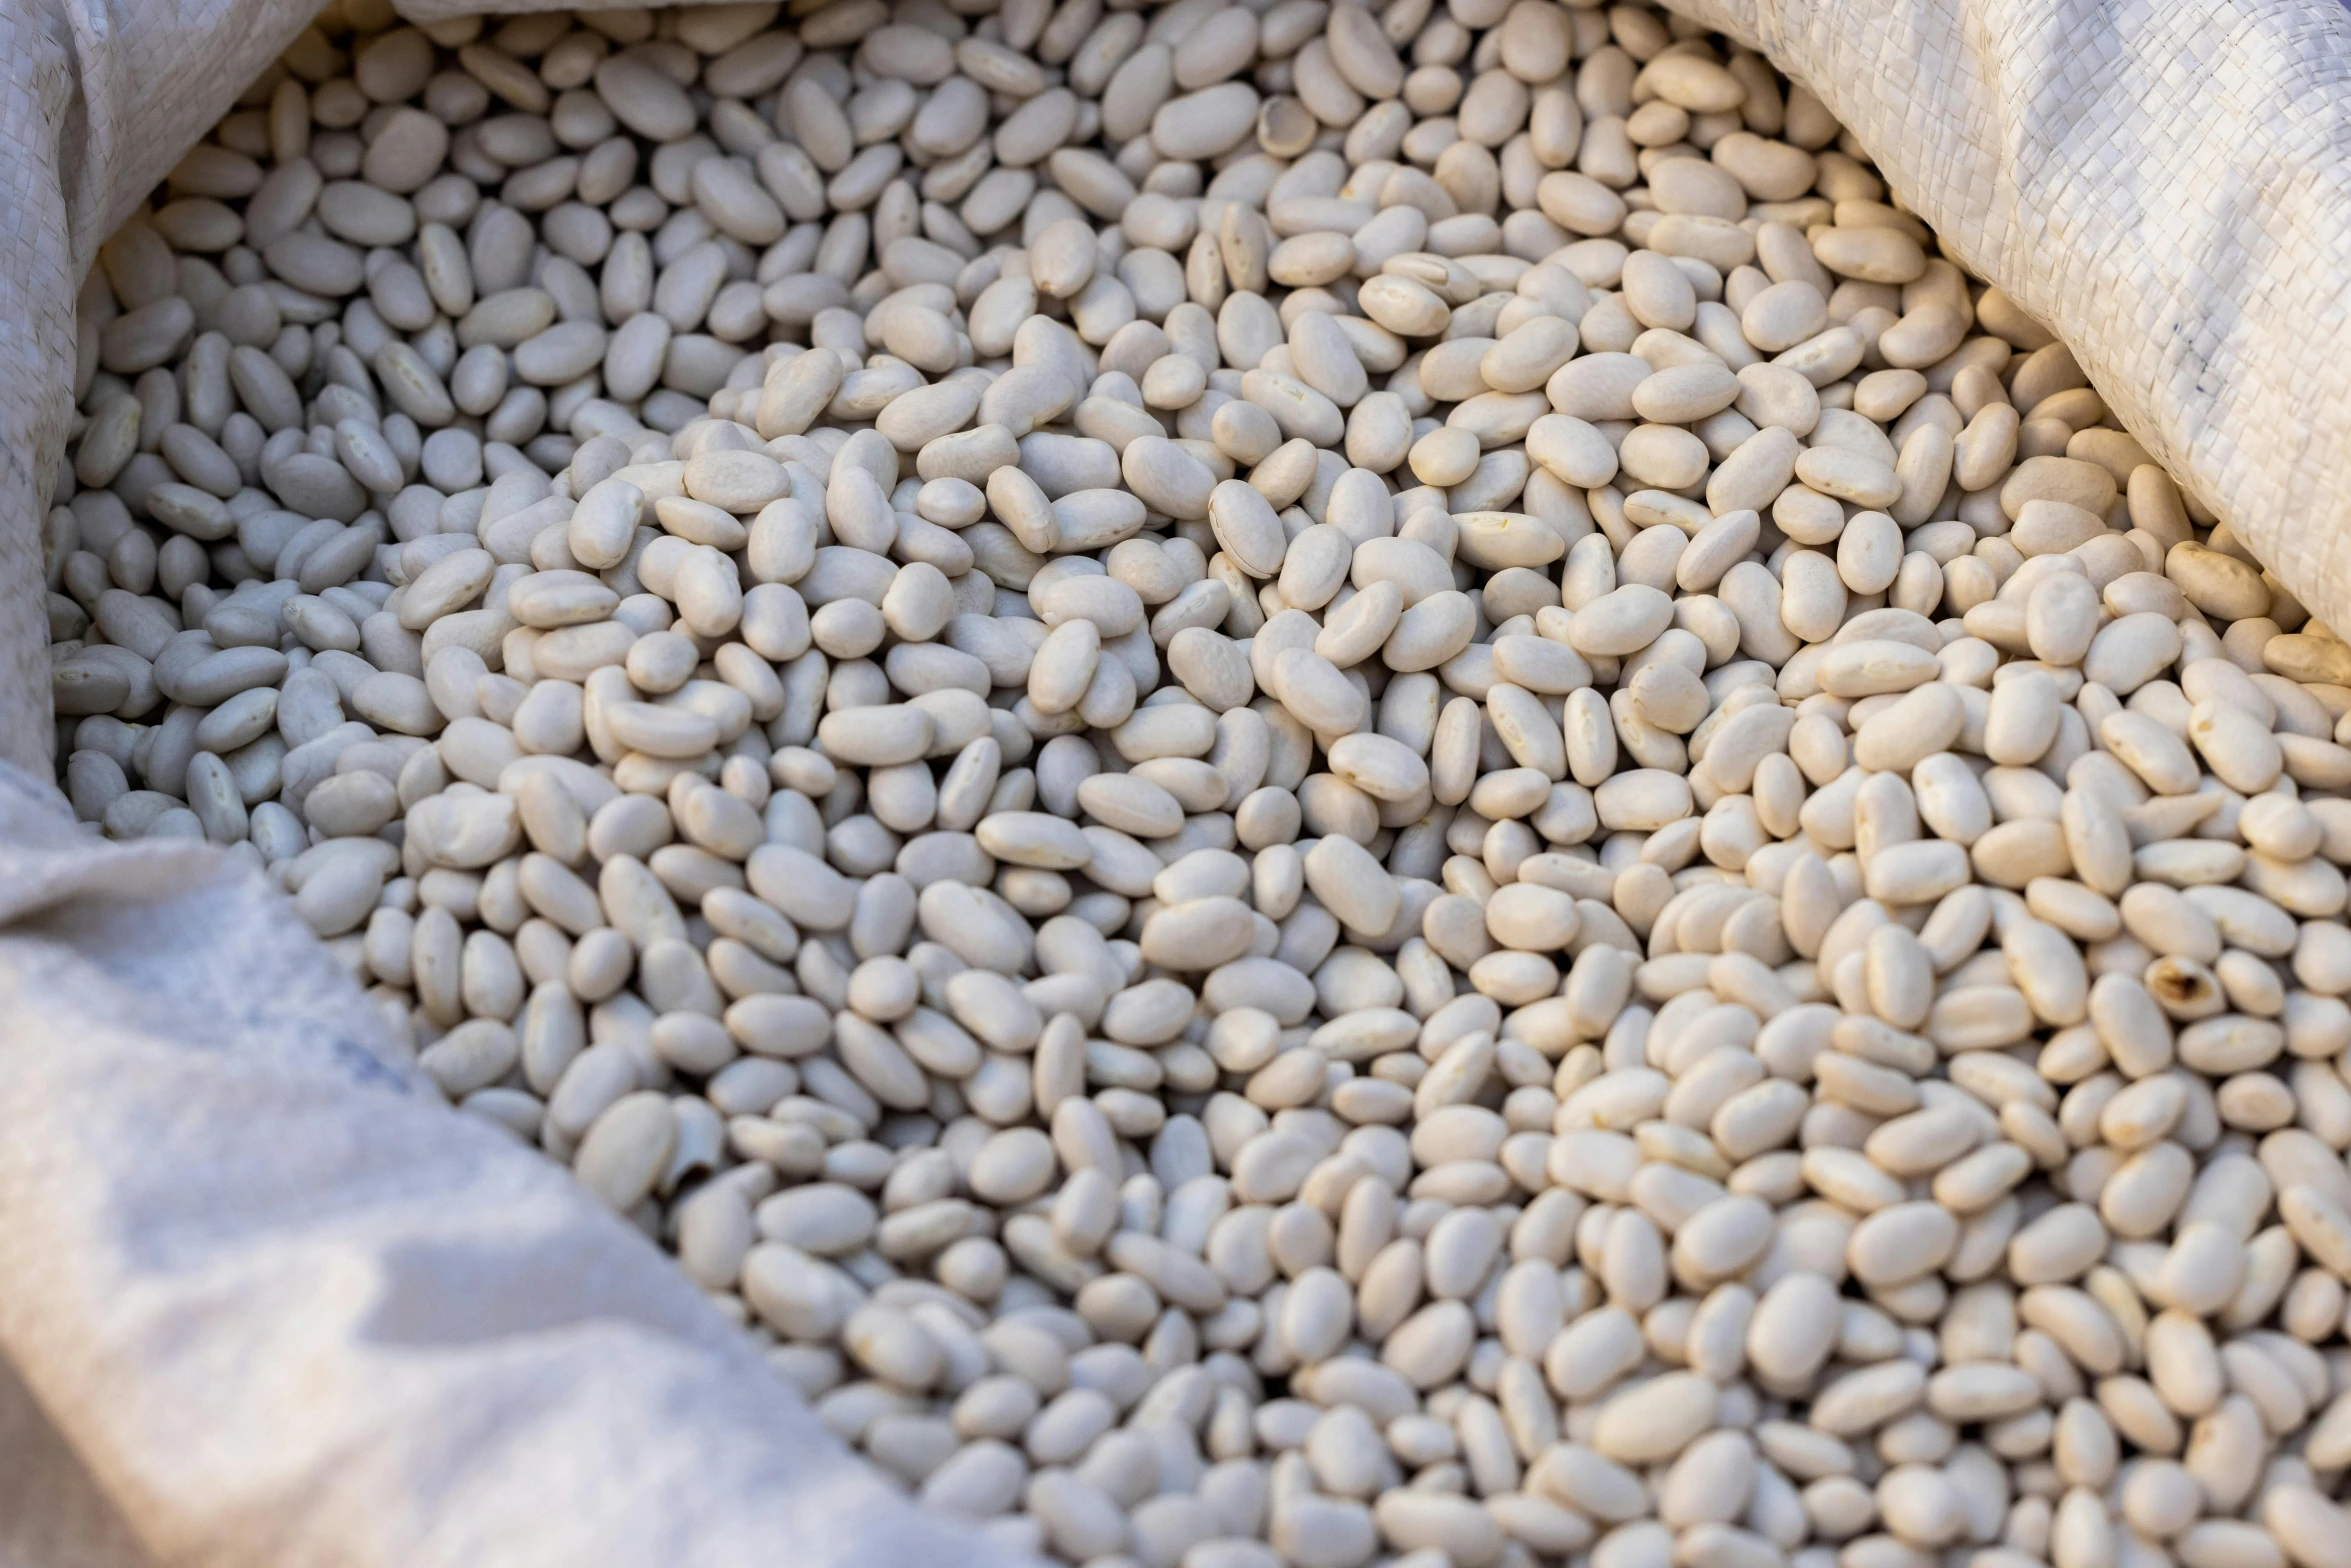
[281, 1306]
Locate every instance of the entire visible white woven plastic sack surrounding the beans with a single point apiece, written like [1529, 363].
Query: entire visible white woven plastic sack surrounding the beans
[267, 1301]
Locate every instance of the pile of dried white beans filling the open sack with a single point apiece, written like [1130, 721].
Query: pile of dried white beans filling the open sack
[1311, 784]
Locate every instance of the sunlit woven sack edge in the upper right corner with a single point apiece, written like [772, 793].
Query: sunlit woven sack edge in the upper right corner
[2166, 187]
